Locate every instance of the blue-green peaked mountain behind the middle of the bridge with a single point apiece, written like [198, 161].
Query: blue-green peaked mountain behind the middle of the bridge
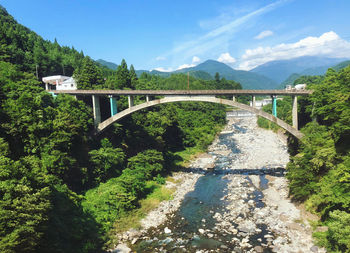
[247, 79]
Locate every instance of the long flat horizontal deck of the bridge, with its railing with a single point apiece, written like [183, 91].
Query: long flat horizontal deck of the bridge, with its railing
[184, 92]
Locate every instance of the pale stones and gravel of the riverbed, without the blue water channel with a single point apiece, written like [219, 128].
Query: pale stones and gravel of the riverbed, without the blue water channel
[258, 216]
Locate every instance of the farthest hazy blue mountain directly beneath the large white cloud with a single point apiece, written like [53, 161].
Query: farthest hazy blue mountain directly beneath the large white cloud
[310, 65]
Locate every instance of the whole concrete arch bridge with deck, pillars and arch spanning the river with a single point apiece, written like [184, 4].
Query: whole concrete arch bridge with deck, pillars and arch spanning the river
[171, 96]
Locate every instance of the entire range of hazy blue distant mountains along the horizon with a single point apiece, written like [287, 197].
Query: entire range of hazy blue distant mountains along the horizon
[271, 75]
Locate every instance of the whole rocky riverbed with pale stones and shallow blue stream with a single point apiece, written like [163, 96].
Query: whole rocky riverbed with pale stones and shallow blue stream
[234, 198]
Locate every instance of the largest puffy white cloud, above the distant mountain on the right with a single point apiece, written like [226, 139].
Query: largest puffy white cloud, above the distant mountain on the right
[328, 44]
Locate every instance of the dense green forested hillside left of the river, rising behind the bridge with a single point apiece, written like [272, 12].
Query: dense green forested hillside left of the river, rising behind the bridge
[62, 188]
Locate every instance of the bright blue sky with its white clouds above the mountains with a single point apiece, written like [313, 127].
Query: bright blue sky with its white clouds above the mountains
[168, 35]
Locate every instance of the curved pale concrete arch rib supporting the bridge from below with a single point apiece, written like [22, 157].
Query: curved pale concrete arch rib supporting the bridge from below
[211, 99]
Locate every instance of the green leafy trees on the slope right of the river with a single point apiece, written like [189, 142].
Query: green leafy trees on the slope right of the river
[319, 168]
